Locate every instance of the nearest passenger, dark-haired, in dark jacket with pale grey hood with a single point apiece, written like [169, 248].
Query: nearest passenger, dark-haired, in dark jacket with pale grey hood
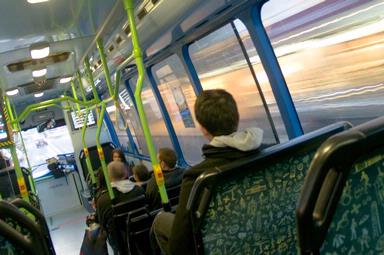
[216, 112]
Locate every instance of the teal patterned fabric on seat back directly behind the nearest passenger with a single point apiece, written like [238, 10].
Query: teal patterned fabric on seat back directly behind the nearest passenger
[255, 213]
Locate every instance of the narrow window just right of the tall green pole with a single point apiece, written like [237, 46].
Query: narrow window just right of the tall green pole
[155, 119]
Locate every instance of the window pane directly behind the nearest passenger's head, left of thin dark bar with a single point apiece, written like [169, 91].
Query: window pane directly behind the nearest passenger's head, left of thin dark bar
[220, 63]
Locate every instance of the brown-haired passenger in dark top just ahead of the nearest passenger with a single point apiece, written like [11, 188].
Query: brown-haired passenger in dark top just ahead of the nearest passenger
[172, 176]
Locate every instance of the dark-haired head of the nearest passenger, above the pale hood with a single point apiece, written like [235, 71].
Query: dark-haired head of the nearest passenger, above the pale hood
[216, 111]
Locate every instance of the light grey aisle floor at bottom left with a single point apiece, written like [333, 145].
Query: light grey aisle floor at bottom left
[67, 231]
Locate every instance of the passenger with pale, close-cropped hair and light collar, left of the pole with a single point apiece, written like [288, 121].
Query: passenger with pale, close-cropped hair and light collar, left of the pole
[123, 189]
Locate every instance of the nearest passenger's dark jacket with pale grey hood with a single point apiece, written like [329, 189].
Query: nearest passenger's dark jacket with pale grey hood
[216, 154]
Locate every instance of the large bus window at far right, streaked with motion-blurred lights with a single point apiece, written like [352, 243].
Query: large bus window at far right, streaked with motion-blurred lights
[331, 54]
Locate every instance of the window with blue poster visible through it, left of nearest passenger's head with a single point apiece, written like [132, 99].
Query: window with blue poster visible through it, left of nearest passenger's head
[179, 99]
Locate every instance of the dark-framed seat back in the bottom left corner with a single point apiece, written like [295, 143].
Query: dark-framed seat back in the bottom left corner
[22, 234]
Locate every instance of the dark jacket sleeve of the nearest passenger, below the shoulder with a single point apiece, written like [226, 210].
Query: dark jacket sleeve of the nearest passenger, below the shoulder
[181, 239]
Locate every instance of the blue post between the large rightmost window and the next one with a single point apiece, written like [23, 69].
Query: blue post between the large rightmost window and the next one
[252, 19]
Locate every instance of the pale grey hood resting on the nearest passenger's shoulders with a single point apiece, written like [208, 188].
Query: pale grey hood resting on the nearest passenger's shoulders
[247, 140]
